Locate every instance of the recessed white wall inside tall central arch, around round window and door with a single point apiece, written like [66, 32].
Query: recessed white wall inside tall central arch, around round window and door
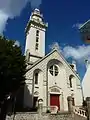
[58, 81]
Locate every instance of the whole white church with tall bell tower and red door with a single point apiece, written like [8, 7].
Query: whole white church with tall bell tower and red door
[49, 77]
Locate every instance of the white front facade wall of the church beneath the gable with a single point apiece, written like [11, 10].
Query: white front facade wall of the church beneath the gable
[62, 80]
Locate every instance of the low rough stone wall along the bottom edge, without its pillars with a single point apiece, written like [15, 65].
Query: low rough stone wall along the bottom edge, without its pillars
[48, 116]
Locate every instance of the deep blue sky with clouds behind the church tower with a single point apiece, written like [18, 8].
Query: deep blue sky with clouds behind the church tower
[63, 17]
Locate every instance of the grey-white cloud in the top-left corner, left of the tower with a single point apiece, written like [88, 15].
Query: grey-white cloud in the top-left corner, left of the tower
[12, 8]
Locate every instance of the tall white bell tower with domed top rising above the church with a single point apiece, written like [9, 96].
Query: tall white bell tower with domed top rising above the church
[35, 37]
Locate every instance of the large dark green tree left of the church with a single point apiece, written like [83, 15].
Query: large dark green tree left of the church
[12, 70]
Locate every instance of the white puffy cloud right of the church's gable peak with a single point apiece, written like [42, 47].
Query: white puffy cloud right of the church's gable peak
[78, 53]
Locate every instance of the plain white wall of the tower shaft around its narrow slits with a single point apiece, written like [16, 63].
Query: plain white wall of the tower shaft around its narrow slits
[31, 41]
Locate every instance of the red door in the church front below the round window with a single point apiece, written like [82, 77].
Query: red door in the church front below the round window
[54, 100]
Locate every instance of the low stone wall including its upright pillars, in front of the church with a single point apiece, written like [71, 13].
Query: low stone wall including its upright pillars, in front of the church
[39, 115]
